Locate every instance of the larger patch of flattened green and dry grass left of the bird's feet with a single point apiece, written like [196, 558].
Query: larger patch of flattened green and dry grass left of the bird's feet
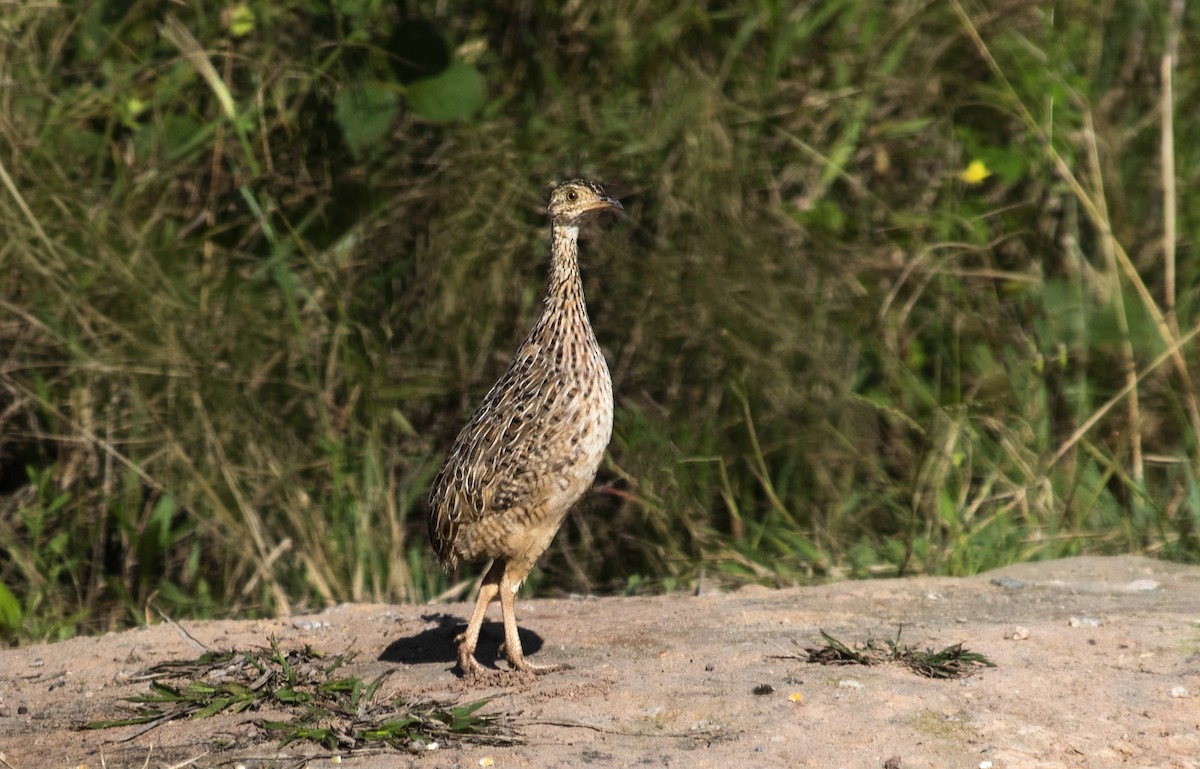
[339, 713]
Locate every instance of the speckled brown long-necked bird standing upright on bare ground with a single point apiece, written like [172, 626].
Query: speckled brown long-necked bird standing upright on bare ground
[533, 447]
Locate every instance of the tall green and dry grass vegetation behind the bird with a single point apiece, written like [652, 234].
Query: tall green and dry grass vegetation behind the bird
[903, 289]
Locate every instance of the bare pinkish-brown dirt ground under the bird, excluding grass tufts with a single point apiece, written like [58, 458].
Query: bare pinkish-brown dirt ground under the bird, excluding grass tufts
[1097, 665]
